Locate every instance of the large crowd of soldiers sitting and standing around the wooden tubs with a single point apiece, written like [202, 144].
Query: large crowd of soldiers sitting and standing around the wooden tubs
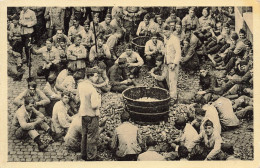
[81, 62]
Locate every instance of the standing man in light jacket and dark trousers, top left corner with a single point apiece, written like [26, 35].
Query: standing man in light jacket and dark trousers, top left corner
[27, 21]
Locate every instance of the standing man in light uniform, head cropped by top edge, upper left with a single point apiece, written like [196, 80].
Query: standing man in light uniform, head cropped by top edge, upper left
[54, 17]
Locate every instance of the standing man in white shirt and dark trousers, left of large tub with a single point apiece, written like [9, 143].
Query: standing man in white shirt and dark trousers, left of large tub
[90, 101]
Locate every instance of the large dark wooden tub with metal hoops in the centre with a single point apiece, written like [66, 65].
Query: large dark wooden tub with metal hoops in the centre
[150, 111]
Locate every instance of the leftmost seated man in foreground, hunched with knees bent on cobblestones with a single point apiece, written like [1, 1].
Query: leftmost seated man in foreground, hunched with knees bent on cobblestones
[25, 125]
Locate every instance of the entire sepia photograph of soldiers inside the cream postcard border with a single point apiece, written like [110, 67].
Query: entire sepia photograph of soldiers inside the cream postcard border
[130, 83]
